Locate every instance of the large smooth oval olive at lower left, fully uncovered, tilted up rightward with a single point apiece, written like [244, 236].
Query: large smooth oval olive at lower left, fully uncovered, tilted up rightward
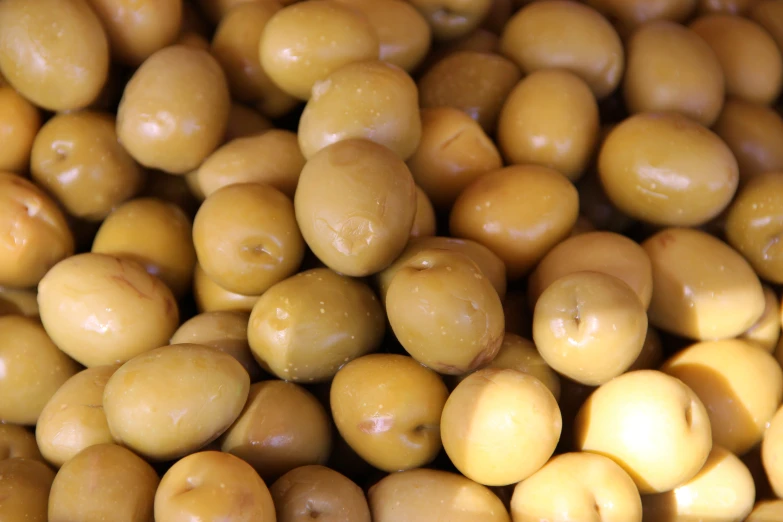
[173, 400]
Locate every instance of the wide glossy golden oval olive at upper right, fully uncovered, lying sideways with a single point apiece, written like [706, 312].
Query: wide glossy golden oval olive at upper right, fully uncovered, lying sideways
[667, 170]
